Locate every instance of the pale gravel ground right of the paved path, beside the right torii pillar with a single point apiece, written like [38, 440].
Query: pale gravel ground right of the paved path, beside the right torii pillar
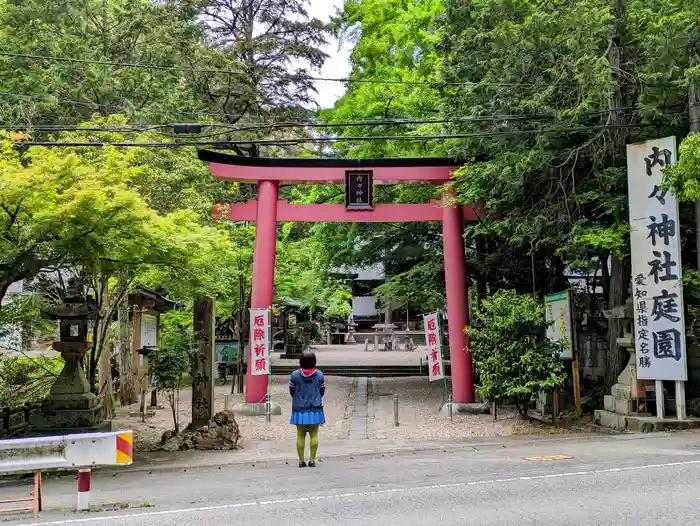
[419, 403]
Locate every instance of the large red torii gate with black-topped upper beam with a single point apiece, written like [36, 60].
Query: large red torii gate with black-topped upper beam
[269, 173]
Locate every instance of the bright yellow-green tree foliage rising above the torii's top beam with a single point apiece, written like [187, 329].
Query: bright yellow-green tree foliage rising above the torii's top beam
[394, 44]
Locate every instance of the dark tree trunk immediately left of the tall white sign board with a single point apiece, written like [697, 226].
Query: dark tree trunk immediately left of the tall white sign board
[620, 275]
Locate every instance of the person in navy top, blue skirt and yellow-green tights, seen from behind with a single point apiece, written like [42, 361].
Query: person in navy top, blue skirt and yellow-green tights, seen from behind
[307, 387]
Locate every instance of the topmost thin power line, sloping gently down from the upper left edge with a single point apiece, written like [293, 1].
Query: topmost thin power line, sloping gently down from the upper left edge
[157, 67]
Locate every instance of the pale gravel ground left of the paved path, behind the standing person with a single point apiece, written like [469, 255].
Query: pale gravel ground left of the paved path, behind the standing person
[147, 435]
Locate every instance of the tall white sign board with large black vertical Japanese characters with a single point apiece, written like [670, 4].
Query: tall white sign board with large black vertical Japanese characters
[659, 327]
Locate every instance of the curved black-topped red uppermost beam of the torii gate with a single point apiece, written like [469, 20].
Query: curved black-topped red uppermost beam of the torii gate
[431, 170]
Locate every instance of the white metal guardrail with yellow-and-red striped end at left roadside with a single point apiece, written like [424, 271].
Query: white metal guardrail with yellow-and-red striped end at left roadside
[61, 453]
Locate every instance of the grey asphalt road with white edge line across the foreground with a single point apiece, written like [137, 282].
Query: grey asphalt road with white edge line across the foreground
[628, 480]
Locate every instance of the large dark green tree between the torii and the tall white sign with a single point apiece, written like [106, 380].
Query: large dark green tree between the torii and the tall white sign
[562, 79]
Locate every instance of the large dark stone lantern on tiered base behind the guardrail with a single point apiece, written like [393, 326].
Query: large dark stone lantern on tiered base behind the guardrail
[70, 407]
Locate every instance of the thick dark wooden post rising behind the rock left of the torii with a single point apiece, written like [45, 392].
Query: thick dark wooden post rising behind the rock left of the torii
[203, 364]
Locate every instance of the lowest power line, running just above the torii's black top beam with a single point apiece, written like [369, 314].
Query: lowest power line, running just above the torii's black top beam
[306, 140]
